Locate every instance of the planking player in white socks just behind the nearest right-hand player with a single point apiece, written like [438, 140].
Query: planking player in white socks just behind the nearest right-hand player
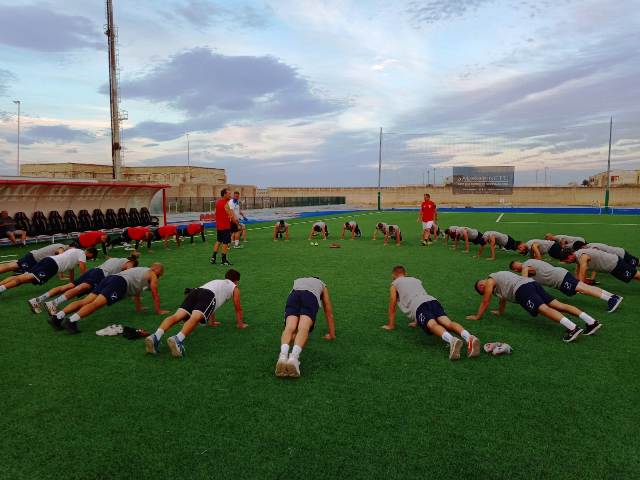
[561, 279]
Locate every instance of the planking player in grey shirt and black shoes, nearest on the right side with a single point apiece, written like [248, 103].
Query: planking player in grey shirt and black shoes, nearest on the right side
[509, 287]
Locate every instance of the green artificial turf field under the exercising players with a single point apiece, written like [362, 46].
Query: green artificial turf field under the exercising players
[371, 404]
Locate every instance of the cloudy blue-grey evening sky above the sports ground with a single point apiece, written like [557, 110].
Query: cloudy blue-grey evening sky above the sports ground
[293, 92]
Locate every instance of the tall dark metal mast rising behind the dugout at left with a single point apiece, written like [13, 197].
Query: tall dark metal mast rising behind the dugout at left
[110, 32]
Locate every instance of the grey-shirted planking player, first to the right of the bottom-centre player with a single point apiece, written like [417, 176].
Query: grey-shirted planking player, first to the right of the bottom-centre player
[426, 312]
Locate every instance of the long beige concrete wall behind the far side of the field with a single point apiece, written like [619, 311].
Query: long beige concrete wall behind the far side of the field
[411, 195]
